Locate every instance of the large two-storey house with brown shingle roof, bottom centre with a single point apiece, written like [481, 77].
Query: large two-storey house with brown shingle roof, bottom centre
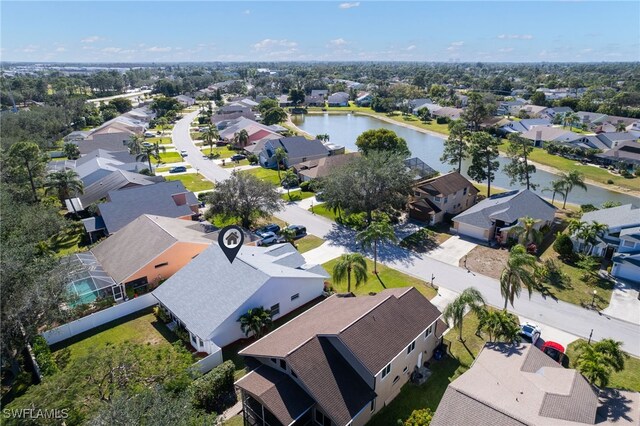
[341, 361]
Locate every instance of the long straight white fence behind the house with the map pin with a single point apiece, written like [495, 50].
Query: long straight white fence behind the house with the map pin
[97, 319]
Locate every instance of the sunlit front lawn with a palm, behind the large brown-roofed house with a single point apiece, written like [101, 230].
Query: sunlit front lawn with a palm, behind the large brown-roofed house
[386, 278]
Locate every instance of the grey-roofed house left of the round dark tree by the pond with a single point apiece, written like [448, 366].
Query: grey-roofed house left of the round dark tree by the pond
[298, 149]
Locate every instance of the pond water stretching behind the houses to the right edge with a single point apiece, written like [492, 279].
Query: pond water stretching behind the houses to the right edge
[345, 128]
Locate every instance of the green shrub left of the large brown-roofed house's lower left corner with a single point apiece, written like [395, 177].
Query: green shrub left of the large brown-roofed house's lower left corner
[214, 391]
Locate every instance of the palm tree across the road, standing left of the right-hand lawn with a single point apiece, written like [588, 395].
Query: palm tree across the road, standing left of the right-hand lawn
[518, 272]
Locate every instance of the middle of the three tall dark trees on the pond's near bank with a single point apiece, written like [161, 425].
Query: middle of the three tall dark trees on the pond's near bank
[483, 150]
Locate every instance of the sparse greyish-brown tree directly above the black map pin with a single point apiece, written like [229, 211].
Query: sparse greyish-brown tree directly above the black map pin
[245, 197]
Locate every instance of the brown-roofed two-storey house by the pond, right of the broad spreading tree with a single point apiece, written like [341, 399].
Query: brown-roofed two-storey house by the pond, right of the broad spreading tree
[434, 198]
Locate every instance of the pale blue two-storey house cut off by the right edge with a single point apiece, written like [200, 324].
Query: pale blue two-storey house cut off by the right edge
[621, 242]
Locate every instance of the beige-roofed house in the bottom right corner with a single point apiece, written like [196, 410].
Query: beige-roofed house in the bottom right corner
[515, 385]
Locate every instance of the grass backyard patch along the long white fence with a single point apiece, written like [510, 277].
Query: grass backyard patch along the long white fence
[140, 327]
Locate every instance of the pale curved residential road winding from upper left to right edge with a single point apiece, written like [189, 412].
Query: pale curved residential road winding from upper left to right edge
[561, 315]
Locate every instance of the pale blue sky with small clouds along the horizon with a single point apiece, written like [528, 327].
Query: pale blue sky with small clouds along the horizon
[148, 31]
